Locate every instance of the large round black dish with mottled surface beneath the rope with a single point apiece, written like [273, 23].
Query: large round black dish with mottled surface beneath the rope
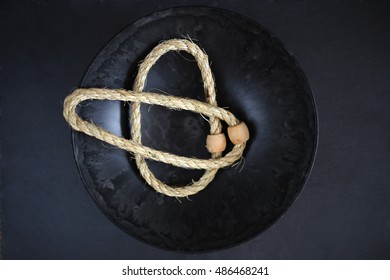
[256, 78]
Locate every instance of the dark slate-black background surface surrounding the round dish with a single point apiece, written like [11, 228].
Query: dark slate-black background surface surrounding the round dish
[343, 211]
